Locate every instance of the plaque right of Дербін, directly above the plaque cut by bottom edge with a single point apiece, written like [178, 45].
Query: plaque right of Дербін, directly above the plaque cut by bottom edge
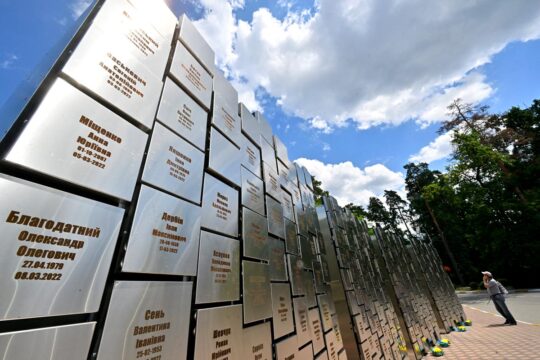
[218, 271]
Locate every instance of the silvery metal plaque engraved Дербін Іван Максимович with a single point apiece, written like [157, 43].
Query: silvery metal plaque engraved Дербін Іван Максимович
[164, 237]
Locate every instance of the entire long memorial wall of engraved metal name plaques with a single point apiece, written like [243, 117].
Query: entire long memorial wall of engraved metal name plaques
[146, 214]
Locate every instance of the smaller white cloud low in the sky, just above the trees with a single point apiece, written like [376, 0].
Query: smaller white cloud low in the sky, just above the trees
[351, 184]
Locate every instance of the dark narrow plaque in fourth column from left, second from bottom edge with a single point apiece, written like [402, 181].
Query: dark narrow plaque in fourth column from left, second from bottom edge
[256, 291]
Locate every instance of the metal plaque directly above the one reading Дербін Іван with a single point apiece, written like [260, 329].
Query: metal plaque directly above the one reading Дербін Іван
[174, 165]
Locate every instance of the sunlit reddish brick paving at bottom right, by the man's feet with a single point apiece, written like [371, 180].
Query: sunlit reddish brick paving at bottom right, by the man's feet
[487, 339]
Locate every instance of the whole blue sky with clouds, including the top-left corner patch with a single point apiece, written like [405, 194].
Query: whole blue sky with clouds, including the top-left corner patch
[354, 88]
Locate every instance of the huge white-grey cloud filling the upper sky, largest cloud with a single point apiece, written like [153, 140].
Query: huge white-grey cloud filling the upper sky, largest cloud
[366, 61]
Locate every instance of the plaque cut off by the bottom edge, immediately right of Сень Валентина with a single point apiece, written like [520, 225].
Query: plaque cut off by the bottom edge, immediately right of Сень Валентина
[219, 333]
